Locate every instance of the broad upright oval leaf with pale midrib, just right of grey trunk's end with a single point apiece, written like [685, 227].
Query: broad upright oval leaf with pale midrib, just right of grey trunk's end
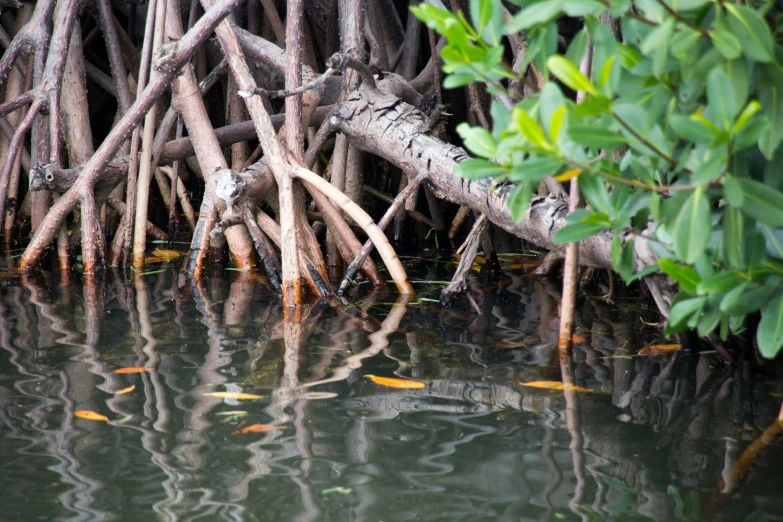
[692, 228]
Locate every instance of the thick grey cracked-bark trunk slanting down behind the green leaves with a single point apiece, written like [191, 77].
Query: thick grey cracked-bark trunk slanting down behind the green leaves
[384, 125]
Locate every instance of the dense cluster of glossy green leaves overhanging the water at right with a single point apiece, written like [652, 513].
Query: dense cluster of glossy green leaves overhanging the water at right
[675, 137]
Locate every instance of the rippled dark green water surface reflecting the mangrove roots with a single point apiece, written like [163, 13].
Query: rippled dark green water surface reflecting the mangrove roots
[656, 439]
